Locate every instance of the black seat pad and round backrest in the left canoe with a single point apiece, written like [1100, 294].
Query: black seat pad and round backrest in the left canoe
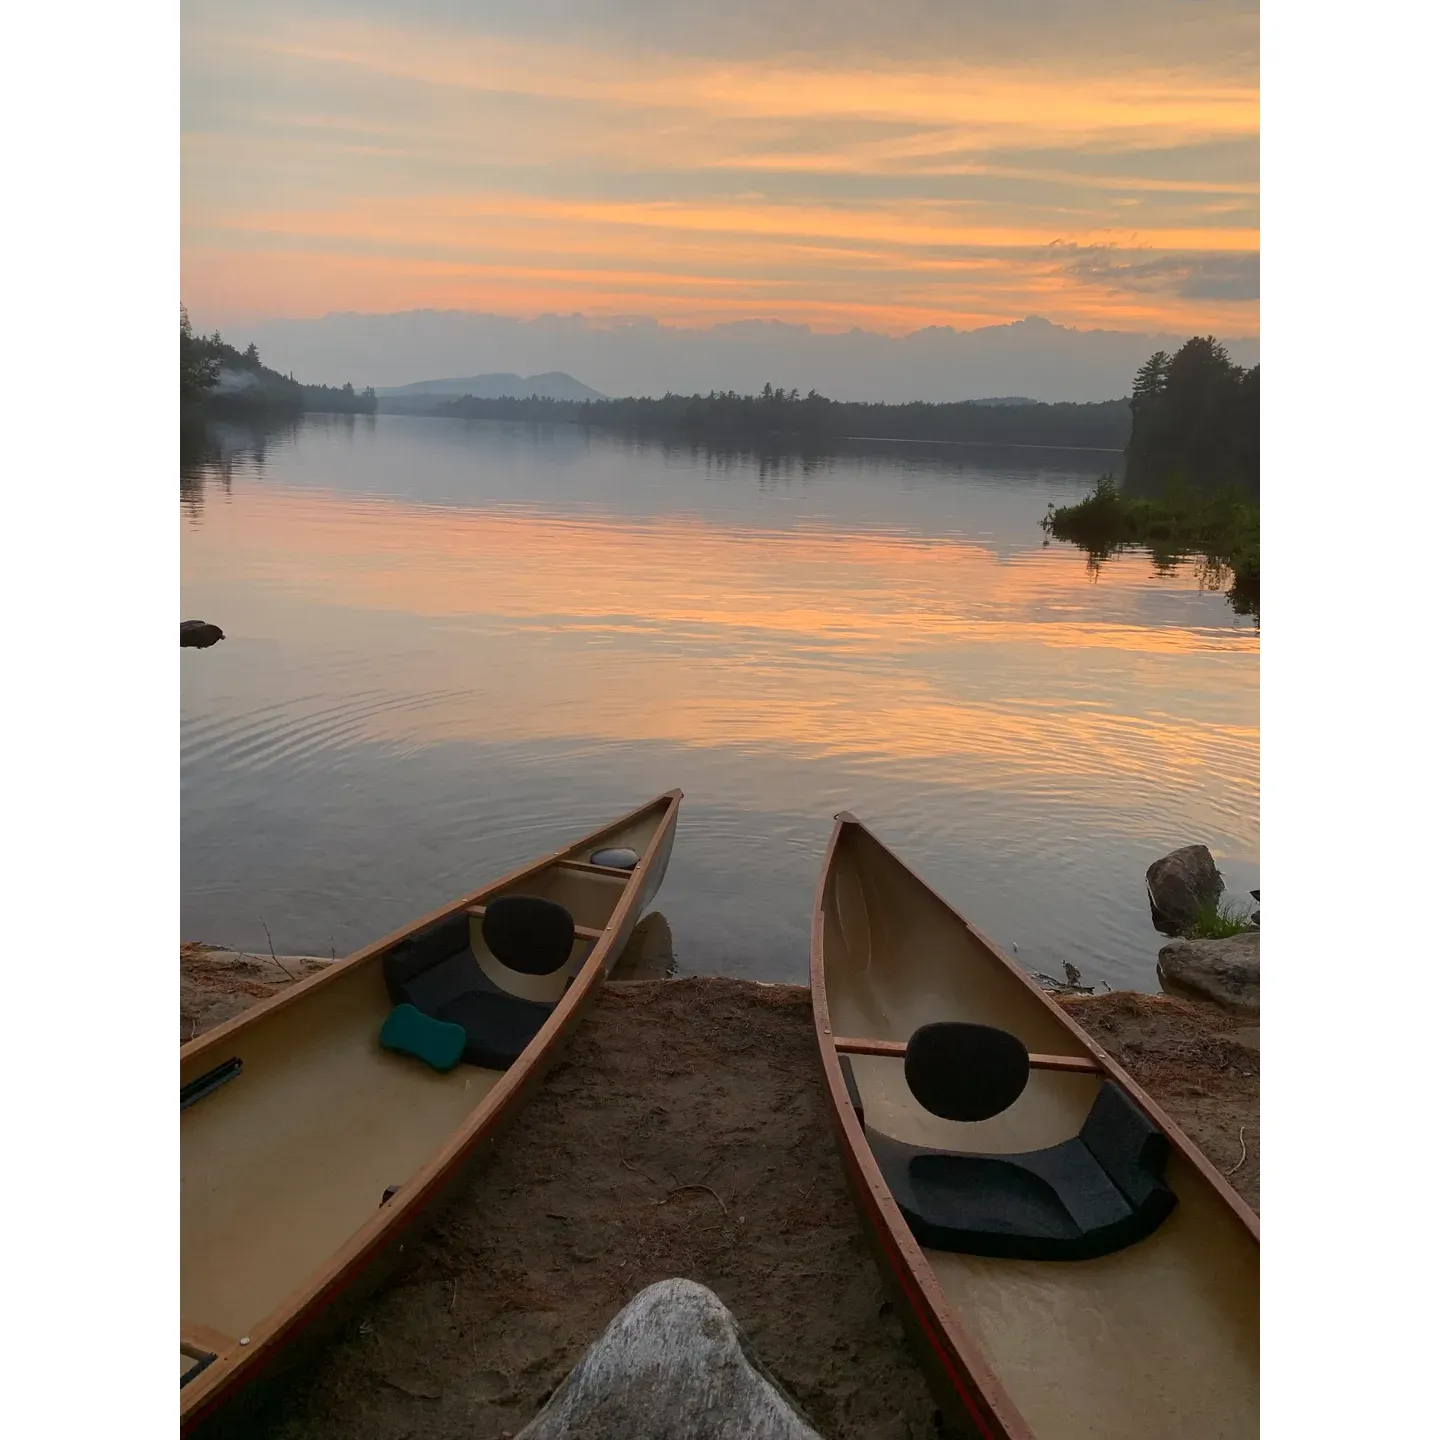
[437, 973]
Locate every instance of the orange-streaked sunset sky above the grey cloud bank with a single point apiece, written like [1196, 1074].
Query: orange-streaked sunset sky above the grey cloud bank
[833, 162]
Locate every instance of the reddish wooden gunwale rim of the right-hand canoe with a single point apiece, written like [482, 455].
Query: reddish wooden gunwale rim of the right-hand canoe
[970, 1376]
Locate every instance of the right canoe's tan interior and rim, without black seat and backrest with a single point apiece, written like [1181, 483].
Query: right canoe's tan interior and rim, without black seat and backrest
[1158, 1340]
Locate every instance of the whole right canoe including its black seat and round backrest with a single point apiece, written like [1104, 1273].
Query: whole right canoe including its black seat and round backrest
[1066, 1262]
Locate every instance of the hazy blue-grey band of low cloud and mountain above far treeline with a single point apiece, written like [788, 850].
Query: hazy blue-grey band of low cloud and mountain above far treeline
[637, 355]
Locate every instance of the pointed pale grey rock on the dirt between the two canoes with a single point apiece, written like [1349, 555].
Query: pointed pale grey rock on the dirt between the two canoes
[672, 1366]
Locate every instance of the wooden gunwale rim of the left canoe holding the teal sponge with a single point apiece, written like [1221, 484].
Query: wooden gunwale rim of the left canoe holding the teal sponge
[267, 1341]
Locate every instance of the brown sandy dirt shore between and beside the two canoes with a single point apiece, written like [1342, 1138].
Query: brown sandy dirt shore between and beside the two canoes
[682, 1135]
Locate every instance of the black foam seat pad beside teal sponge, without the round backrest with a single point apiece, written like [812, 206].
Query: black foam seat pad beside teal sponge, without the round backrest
[438, 974]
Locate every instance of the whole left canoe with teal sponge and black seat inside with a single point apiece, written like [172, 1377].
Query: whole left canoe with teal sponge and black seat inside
[310, 1151]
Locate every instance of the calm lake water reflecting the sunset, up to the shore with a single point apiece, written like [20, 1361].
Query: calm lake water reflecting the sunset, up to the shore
[453, 646]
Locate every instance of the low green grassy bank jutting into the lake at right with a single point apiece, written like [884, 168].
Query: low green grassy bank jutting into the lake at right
[1220, 526]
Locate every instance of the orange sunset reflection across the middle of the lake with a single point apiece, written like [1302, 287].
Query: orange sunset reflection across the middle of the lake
[522, 627]
